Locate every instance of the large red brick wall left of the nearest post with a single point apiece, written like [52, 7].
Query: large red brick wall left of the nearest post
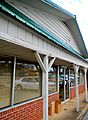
[29, 111]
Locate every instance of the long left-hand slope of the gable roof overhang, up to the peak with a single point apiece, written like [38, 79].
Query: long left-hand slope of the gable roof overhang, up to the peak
[47, 6]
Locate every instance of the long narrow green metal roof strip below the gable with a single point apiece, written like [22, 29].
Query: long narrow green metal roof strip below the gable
[24, 19]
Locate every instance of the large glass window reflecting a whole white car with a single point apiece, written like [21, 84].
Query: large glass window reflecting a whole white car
[28, 82]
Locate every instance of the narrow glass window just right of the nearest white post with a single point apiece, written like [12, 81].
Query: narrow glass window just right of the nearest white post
[52, 80]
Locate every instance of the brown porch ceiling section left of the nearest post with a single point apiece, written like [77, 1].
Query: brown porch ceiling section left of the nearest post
[9, 49]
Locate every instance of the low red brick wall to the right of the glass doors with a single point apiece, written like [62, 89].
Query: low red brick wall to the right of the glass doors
[73, 90]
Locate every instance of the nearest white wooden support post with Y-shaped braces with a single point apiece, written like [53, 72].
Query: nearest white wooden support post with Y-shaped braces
[45, 66]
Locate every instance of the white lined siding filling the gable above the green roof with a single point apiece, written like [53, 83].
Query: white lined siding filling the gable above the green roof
[51, 23]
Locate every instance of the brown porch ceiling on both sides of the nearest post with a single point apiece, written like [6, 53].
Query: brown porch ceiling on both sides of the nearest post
[10, 49]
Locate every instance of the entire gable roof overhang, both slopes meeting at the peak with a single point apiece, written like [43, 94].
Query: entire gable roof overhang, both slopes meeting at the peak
[54, 9]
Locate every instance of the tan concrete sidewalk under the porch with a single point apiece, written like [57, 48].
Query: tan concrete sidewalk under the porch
[68, 110]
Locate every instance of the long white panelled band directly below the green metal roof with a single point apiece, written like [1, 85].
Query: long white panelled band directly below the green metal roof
[33, 41]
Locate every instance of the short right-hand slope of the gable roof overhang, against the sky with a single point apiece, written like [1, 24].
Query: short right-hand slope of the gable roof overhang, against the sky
[74, 28]
